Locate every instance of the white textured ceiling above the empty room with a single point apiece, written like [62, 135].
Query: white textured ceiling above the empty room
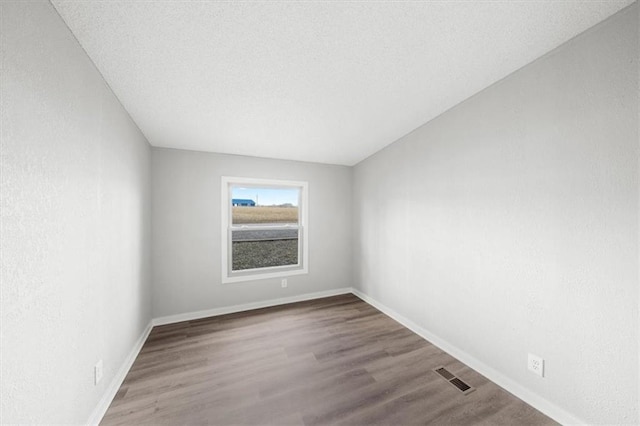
[330, 81]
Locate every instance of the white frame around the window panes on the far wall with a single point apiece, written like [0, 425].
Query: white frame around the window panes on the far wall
[230, 276]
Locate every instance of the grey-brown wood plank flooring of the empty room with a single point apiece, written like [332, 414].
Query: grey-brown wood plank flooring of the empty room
[328, 361]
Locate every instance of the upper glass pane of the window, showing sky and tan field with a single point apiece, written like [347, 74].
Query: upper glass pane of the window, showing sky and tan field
[254, 205]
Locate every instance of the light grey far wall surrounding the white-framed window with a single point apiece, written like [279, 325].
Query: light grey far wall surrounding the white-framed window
[186, 248]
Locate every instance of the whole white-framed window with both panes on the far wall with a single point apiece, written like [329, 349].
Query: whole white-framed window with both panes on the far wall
[264, 228]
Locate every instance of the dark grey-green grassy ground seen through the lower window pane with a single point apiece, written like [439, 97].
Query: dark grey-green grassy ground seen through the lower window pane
[261, 254]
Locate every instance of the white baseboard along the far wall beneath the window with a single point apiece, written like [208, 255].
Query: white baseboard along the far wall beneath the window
[248, 306]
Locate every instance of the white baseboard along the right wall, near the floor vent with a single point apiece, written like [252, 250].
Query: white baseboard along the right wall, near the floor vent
[541, 404]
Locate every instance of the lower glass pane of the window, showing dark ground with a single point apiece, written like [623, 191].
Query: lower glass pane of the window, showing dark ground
[264, 248]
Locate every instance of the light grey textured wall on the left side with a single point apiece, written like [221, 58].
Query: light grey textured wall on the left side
[75, 185]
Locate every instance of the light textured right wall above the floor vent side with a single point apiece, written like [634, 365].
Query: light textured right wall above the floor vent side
[509, 224]
